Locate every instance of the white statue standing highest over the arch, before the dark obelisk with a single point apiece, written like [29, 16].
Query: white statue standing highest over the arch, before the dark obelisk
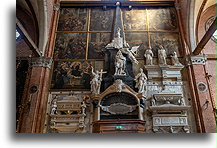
[120, 64]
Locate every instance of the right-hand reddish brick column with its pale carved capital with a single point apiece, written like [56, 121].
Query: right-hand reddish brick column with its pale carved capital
[204, 102]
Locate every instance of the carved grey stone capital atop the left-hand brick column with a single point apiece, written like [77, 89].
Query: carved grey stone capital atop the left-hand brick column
[41, 62]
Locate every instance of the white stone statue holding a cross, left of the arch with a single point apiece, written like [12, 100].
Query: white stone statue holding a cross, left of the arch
[96, 82]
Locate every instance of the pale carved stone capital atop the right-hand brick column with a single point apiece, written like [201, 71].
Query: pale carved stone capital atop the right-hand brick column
[196, 60]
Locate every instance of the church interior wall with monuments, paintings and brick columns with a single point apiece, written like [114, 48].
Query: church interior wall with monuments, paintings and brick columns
[116, 66]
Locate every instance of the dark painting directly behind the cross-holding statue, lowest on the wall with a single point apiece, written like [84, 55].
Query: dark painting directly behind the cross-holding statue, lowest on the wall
[72, 74]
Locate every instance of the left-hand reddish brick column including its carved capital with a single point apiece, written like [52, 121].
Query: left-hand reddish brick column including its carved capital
[36, 94]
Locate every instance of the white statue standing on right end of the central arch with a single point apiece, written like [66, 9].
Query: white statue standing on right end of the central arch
[141, 81]
